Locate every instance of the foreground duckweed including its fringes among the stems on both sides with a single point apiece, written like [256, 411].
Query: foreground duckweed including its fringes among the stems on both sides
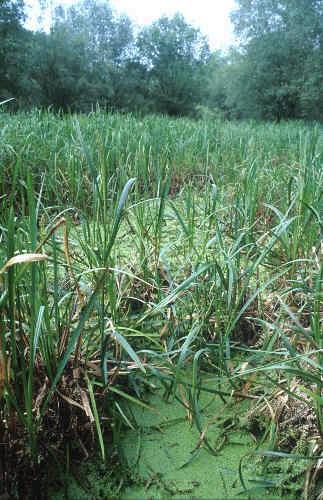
[167, 456]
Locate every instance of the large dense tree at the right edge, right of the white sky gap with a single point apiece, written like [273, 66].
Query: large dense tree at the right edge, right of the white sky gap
[279, 72]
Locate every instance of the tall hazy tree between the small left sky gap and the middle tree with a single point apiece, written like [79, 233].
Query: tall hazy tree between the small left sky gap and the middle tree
[82, 59]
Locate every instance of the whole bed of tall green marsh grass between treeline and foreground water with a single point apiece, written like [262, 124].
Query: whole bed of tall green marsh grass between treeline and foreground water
[137, 250]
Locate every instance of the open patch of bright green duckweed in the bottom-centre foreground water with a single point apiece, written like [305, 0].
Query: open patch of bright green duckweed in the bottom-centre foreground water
[169, 458]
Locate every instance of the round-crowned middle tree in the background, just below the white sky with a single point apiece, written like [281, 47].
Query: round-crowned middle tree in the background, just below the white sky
[175, 55]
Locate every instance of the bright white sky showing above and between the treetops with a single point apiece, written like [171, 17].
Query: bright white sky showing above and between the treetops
[211, 16]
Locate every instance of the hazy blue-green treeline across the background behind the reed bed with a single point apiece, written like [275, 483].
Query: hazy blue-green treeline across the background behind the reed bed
[93, 56]
